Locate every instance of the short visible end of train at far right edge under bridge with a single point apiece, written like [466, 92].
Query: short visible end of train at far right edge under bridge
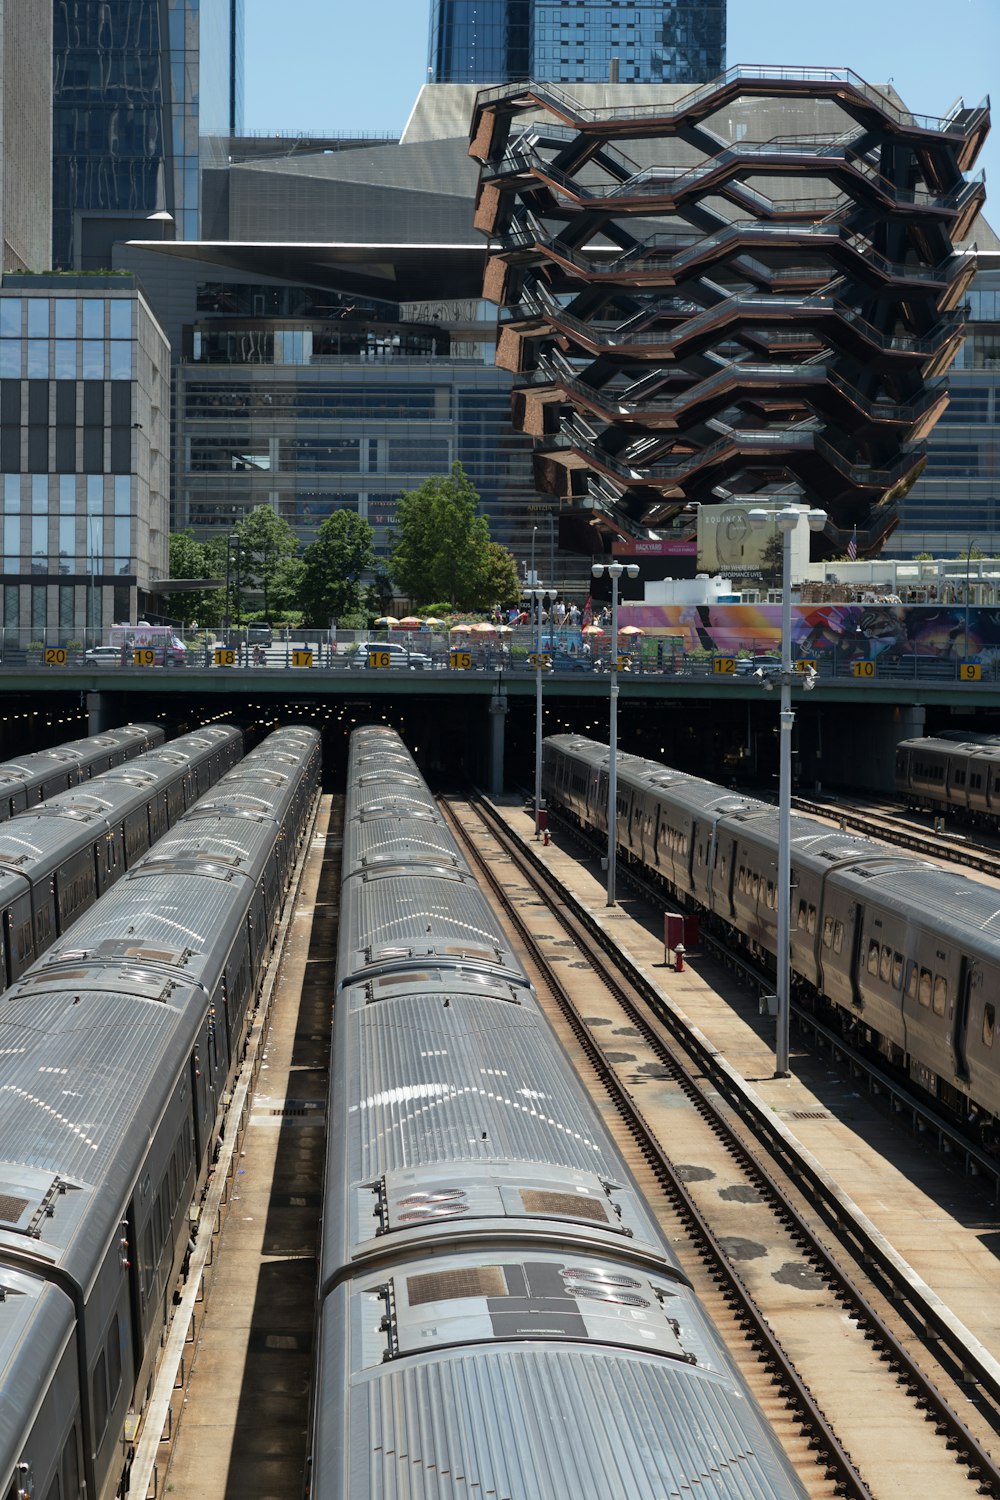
[951, 773]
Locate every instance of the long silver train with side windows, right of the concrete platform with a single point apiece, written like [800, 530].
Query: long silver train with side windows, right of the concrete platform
[899, 952]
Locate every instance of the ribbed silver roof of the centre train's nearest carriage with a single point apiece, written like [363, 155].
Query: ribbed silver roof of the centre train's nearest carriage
[530, 1418]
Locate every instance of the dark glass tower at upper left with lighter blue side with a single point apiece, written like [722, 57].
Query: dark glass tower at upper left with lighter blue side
[143, 98]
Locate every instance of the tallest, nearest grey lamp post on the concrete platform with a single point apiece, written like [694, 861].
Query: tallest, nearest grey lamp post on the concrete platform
[788, 521]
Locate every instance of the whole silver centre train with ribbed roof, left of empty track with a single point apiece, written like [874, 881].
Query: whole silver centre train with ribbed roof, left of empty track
[499, 1312]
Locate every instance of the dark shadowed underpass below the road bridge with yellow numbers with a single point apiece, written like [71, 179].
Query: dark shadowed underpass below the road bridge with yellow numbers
[482, 722]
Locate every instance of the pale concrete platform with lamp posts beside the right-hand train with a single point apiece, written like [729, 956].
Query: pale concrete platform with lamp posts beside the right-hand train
[944, 1226]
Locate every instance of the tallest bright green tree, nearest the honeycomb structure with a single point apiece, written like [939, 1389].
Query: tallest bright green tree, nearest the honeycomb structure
[443, 544]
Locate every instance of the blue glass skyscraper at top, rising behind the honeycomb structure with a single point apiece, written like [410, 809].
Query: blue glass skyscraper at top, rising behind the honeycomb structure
[576, 41]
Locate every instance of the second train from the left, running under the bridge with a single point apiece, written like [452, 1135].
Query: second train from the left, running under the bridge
[61, 856]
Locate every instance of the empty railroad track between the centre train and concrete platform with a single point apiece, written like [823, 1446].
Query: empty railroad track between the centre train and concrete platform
[773, 1211]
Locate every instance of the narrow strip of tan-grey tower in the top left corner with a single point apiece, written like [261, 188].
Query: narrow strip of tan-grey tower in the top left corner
[26, 145]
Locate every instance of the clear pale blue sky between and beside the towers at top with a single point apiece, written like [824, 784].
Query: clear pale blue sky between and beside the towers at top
[331, 67]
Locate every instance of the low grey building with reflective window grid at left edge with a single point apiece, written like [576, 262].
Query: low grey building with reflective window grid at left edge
[85, 433]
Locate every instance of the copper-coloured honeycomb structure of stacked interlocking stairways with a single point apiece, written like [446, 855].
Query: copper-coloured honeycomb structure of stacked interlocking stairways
[752, 289]
